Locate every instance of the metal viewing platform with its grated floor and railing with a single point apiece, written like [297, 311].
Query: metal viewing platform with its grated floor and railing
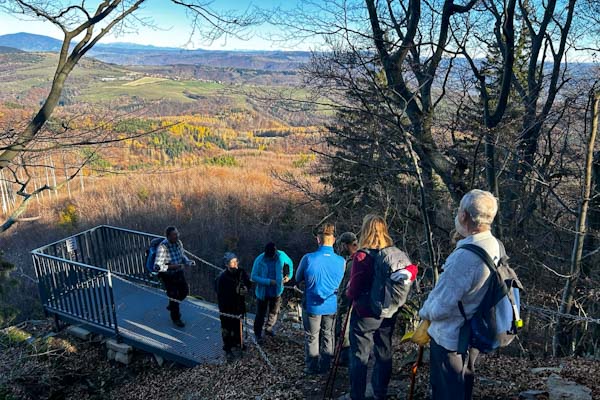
[97, 279]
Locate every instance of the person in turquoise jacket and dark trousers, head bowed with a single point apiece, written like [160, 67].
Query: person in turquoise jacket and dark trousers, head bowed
[270, 271]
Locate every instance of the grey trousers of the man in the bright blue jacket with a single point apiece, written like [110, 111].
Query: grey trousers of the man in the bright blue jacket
[319, 341]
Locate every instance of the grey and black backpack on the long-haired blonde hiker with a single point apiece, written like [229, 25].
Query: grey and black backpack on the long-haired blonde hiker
[390, 289]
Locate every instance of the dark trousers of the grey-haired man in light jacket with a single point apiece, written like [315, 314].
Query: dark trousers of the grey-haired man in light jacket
[452, 375]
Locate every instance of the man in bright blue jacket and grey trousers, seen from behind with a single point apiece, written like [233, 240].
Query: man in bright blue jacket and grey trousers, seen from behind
[322, 271]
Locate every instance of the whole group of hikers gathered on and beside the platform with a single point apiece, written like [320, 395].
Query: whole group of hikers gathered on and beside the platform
[353, 294]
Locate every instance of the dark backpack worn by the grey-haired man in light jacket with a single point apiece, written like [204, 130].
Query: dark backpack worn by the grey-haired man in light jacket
[497, 318]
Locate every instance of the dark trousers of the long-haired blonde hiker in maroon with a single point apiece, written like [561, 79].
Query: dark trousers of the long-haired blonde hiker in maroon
[367, 334]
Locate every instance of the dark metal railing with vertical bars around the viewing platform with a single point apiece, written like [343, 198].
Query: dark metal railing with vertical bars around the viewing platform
[74, 274]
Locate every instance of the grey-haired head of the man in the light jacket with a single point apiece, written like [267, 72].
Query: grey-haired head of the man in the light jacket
[476, 212]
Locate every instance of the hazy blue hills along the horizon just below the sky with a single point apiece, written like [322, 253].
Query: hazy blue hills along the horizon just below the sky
[135, 54]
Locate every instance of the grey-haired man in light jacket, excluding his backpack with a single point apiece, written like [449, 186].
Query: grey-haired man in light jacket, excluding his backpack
[464, 280]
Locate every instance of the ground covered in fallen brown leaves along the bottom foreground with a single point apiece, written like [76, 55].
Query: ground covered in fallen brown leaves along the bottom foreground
[62, 367]
